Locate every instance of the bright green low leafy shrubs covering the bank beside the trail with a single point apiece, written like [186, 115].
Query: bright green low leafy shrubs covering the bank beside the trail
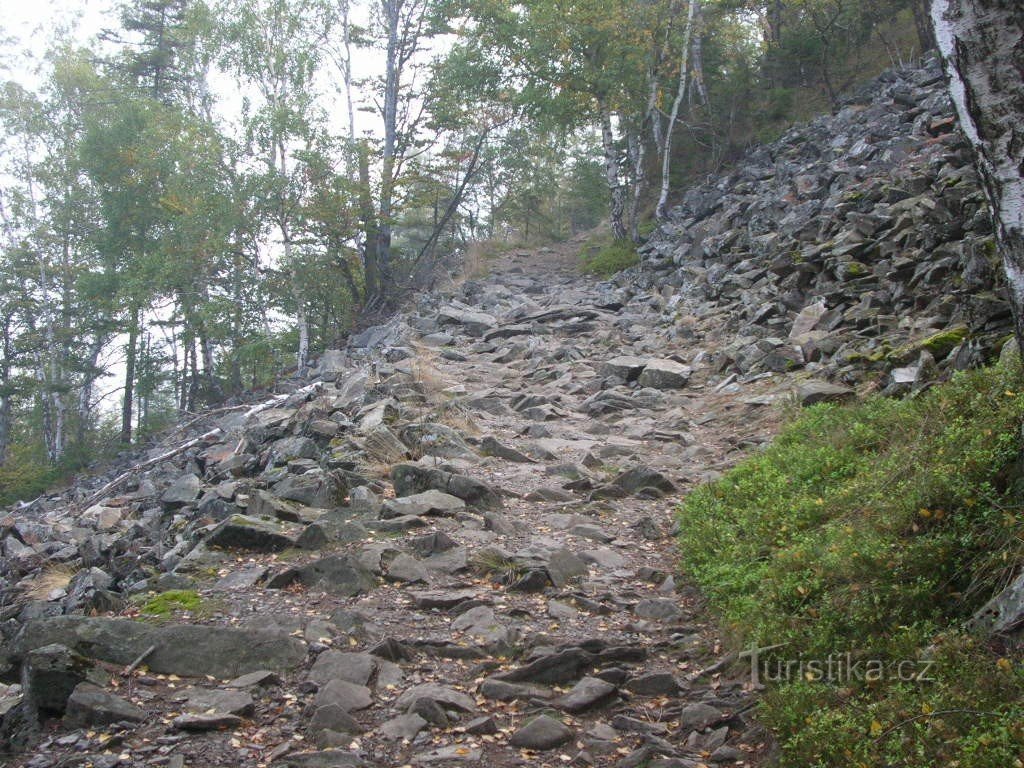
[877, 530]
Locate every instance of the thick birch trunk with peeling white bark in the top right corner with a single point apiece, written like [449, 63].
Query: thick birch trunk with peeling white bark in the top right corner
[983, 44]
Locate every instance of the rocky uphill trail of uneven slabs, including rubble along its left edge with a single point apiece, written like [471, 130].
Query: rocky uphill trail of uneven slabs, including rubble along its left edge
[452, 547]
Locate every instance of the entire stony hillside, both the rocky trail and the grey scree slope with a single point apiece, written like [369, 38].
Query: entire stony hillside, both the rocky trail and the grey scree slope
[454, 541]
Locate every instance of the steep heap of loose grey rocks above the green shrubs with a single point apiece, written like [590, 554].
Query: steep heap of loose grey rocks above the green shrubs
[855, 245]
